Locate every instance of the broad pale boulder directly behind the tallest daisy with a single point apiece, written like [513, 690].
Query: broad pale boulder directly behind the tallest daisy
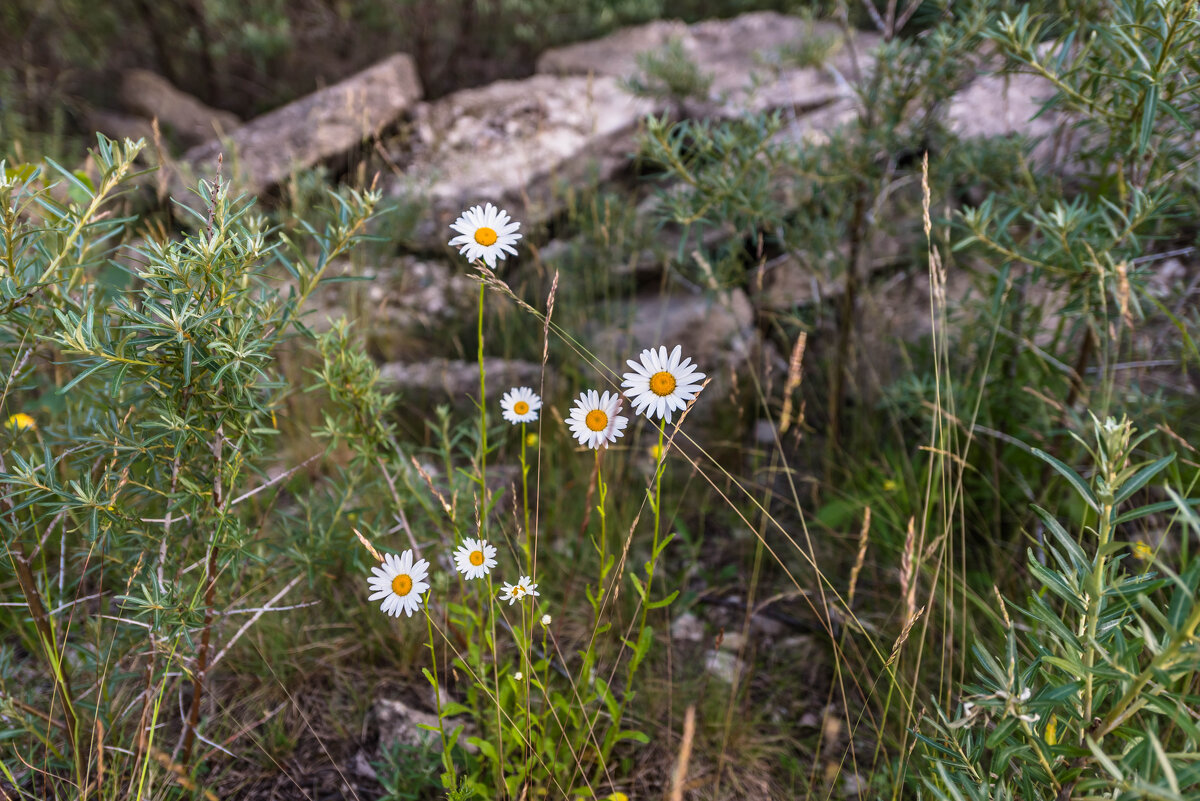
[517, 144]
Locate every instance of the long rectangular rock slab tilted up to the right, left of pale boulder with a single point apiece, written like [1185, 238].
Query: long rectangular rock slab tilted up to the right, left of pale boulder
[322, 125]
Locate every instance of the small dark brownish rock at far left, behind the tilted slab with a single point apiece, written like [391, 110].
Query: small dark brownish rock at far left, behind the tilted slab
[181, 116]
